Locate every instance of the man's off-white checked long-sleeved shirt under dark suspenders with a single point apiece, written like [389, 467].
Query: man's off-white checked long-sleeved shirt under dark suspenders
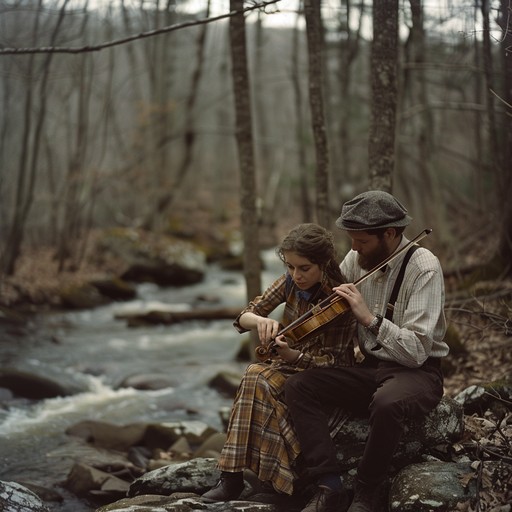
[418, 325]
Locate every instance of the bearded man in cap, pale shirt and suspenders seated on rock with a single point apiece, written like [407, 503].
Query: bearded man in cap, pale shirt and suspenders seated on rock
[400, 377]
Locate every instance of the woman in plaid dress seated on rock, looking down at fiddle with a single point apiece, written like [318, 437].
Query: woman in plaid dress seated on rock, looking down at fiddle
[260, 437]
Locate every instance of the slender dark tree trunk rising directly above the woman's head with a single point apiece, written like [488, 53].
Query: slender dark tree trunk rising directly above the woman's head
[312, 12]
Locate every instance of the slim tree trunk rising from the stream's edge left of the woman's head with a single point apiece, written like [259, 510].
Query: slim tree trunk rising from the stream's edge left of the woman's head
[240, 74]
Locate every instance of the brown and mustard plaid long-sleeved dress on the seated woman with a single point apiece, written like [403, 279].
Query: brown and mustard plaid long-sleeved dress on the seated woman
[260, 435]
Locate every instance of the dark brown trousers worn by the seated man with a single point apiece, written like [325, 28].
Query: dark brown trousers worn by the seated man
[389, 392]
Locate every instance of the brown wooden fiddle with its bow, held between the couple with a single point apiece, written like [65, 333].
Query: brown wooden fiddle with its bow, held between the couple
[325, 311]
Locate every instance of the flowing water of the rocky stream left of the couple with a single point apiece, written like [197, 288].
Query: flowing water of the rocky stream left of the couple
[100, 351]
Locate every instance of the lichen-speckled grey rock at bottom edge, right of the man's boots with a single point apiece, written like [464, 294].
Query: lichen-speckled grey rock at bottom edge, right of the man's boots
[431, 487]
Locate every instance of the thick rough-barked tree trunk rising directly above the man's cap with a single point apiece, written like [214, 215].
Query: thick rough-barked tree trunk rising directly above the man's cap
[384, 58]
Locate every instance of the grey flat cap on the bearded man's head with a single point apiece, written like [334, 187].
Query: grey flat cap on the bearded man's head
[371, 210]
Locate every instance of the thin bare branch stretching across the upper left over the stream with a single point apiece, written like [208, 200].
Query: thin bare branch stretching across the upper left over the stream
[142, 35]
